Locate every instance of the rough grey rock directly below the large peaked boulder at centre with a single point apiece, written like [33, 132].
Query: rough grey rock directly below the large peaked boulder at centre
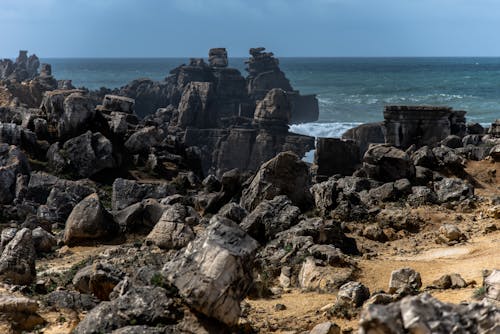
[269, 218]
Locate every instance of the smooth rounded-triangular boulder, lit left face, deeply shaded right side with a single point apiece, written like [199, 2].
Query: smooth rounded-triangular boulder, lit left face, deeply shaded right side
[89, 221]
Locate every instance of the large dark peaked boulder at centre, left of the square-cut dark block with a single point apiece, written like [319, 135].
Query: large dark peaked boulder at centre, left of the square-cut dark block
[285, 174]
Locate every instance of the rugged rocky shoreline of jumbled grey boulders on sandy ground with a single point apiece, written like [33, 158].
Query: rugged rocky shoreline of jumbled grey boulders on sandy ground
[176, 206]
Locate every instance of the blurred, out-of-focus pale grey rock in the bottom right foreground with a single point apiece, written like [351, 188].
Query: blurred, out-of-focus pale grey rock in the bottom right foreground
[425, 314]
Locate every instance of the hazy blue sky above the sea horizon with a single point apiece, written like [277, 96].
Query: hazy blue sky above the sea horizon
[169, 28]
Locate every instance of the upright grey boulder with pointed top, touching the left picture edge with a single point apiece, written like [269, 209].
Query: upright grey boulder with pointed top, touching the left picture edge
[17, 263]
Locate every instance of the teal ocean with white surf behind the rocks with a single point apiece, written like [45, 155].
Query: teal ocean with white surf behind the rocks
[350, 91]
